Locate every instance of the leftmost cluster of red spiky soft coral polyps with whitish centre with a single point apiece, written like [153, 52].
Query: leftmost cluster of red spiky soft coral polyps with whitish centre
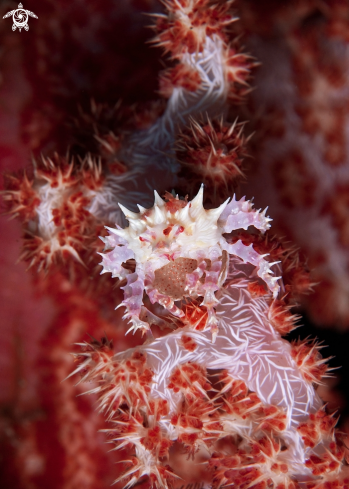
[54, 204]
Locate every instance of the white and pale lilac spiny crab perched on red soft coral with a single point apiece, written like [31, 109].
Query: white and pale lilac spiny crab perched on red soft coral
[180, 251]
